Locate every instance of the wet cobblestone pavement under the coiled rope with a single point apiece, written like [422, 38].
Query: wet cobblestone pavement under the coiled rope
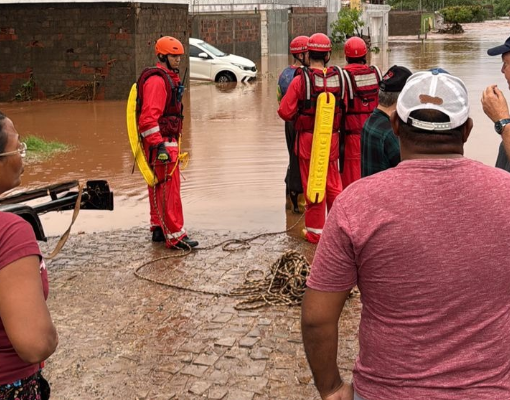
[122, 337]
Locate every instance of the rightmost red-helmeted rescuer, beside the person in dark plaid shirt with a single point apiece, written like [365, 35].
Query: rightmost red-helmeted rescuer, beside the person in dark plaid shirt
[362, 82]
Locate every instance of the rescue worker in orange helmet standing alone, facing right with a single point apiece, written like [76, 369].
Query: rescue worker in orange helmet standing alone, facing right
[159, 124]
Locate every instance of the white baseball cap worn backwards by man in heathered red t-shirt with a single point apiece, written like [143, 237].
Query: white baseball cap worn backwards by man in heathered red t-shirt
[434, 90]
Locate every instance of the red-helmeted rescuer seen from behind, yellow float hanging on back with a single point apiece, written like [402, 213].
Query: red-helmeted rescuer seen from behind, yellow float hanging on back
[299, 107]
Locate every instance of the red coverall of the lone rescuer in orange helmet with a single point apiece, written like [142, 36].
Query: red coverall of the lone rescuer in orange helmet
[165, 197]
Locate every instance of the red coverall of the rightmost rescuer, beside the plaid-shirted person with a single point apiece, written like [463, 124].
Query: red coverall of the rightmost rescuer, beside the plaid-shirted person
[355, 118]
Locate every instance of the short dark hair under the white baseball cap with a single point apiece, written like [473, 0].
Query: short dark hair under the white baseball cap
[434, 141]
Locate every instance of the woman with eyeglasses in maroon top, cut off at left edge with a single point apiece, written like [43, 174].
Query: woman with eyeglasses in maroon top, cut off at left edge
[27, 334]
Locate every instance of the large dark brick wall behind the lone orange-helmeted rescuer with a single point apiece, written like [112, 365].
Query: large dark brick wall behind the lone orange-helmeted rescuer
[82, 49]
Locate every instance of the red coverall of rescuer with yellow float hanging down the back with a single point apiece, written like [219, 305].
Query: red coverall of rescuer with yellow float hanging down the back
[315, 215]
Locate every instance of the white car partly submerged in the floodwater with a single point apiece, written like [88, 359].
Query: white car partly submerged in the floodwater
[210, 64]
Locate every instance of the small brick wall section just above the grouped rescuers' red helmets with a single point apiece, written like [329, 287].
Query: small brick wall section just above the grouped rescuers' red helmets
[307, 21]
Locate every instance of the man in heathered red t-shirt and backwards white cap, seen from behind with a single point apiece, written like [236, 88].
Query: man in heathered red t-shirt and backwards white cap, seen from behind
[428, 244]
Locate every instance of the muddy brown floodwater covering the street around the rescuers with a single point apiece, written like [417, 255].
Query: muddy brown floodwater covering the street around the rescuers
[234, 181]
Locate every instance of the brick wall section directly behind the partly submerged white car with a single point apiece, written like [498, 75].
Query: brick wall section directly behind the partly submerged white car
[234, 33]
